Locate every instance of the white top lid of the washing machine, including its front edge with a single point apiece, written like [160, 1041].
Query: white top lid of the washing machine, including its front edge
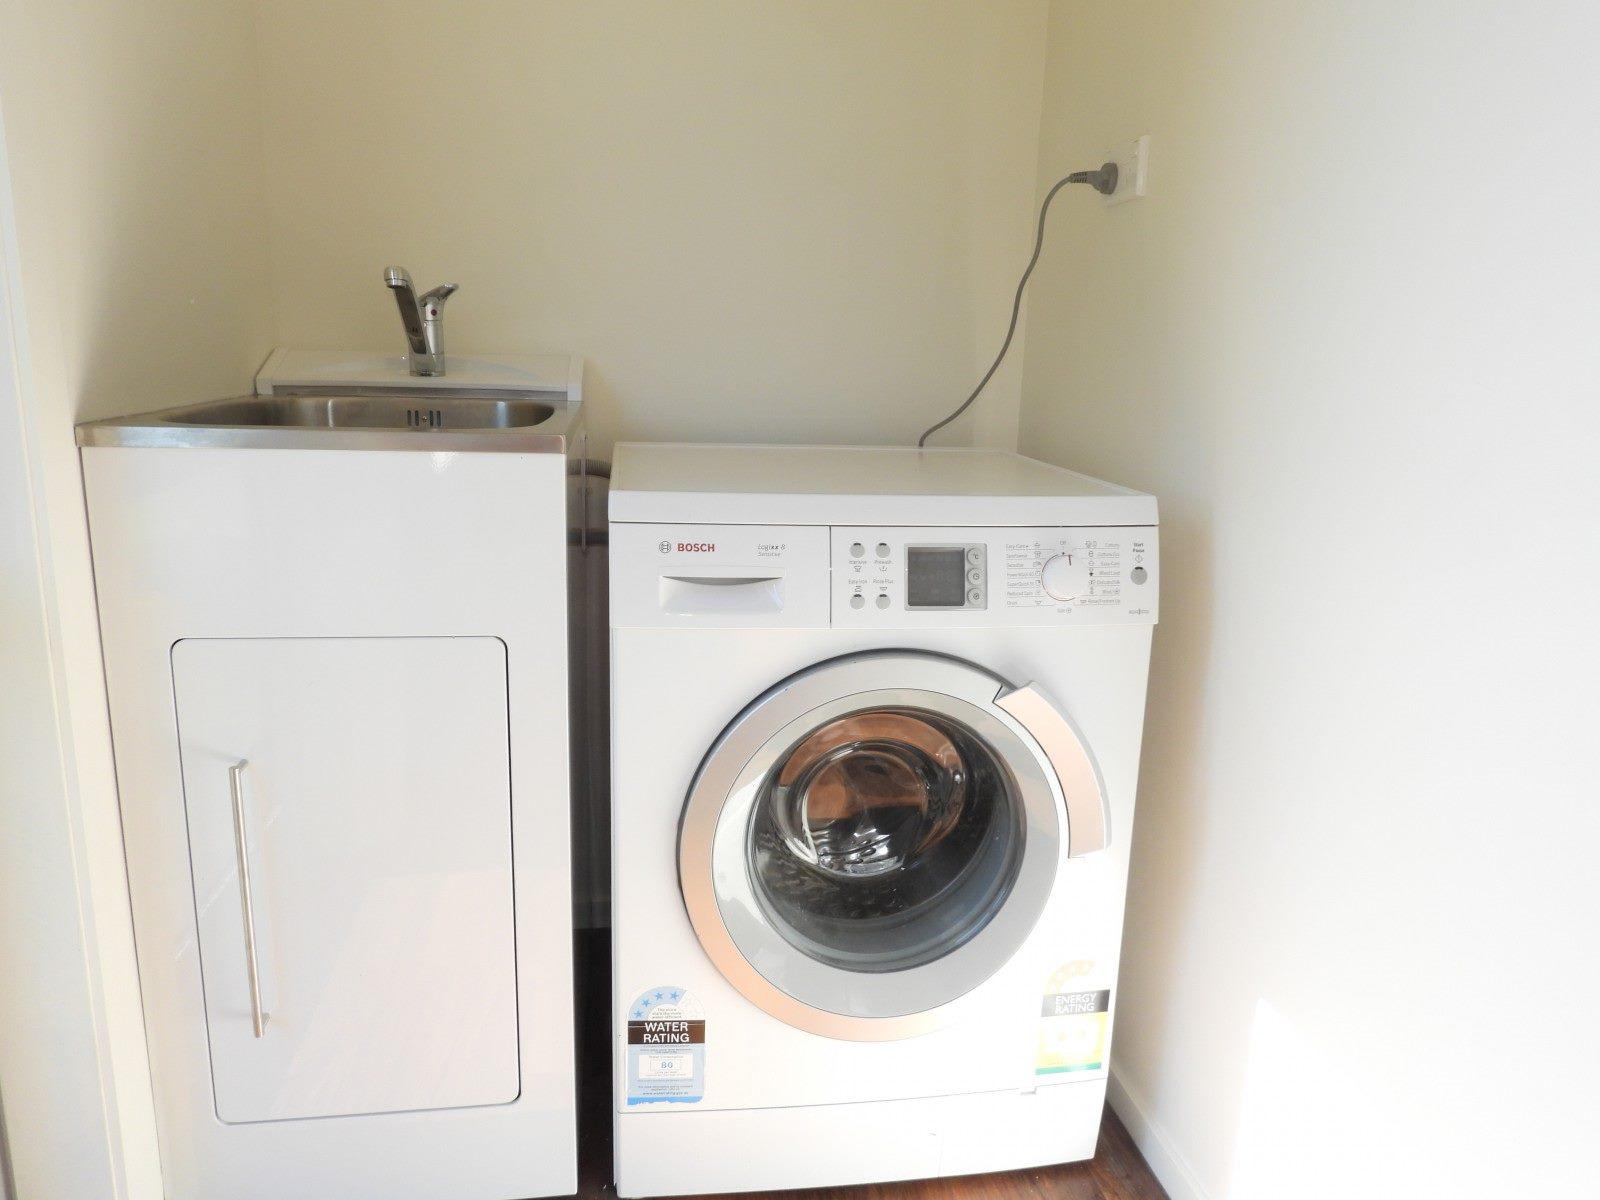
[839, 486]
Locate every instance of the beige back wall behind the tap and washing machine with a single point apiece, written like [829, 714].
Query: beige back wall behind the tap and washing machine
[758, 222]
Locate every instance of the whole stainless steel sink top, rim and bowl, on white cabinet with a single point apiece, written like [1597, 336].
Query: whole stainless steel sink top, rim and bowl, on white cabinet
[436, 420]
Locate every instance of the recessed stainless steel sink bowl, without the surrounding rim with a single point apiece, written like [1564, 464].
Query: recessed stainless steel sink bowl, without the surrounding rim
[362, 412]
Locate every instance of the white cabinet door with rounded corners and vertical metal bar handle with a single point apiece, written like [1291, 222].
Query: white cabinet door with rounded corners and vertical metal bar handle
[366, 786]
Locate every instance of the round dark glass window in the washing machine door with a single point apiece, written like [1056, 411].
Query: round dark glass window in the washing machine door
[886, 839]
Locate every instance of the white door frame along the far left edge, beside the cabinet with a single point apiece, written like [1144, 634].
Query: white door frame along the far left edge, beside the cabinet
[76, 1111]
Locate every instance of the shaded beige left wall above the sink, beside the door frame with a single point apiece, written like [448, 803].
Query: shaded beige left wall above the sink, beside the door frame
[135, 153]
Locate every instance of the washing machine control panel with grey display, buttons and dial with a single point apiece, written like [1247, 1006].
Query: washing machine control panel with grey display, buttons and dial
[1009, 577]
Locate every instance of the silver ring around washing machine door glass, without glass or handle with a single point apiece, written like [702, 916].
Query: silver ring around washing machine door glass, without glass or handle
[719, 894]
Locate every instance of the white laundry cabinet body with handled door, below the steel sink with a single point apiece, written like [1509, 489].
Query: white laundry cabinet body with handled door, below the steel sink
[382, 639]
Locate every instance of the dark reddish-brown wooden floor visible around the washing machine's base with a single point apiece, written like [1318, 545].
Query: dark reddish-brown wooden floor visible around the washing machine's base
[1116, 1174]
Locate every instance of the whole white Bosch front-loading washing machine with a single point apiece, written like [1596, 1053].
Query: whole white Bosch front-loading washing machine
[876, 740]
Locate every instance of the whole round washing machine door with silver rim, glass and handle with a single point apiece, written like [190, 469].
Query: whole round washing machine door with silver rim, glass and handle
[874, 838]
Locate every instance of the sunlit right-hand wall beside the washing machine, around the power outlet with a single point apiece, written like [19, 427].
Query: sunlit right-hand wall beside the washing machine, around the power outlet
[1351, 342]
